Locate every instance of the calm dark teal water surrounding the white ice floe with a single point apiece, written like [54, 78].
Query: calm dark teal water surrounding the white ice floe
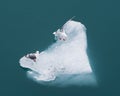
[27, 26]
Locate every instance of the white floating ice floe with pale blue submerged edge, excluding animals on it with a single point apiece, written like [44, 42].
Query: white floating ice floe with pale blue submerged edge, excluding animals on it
[64, 62]
